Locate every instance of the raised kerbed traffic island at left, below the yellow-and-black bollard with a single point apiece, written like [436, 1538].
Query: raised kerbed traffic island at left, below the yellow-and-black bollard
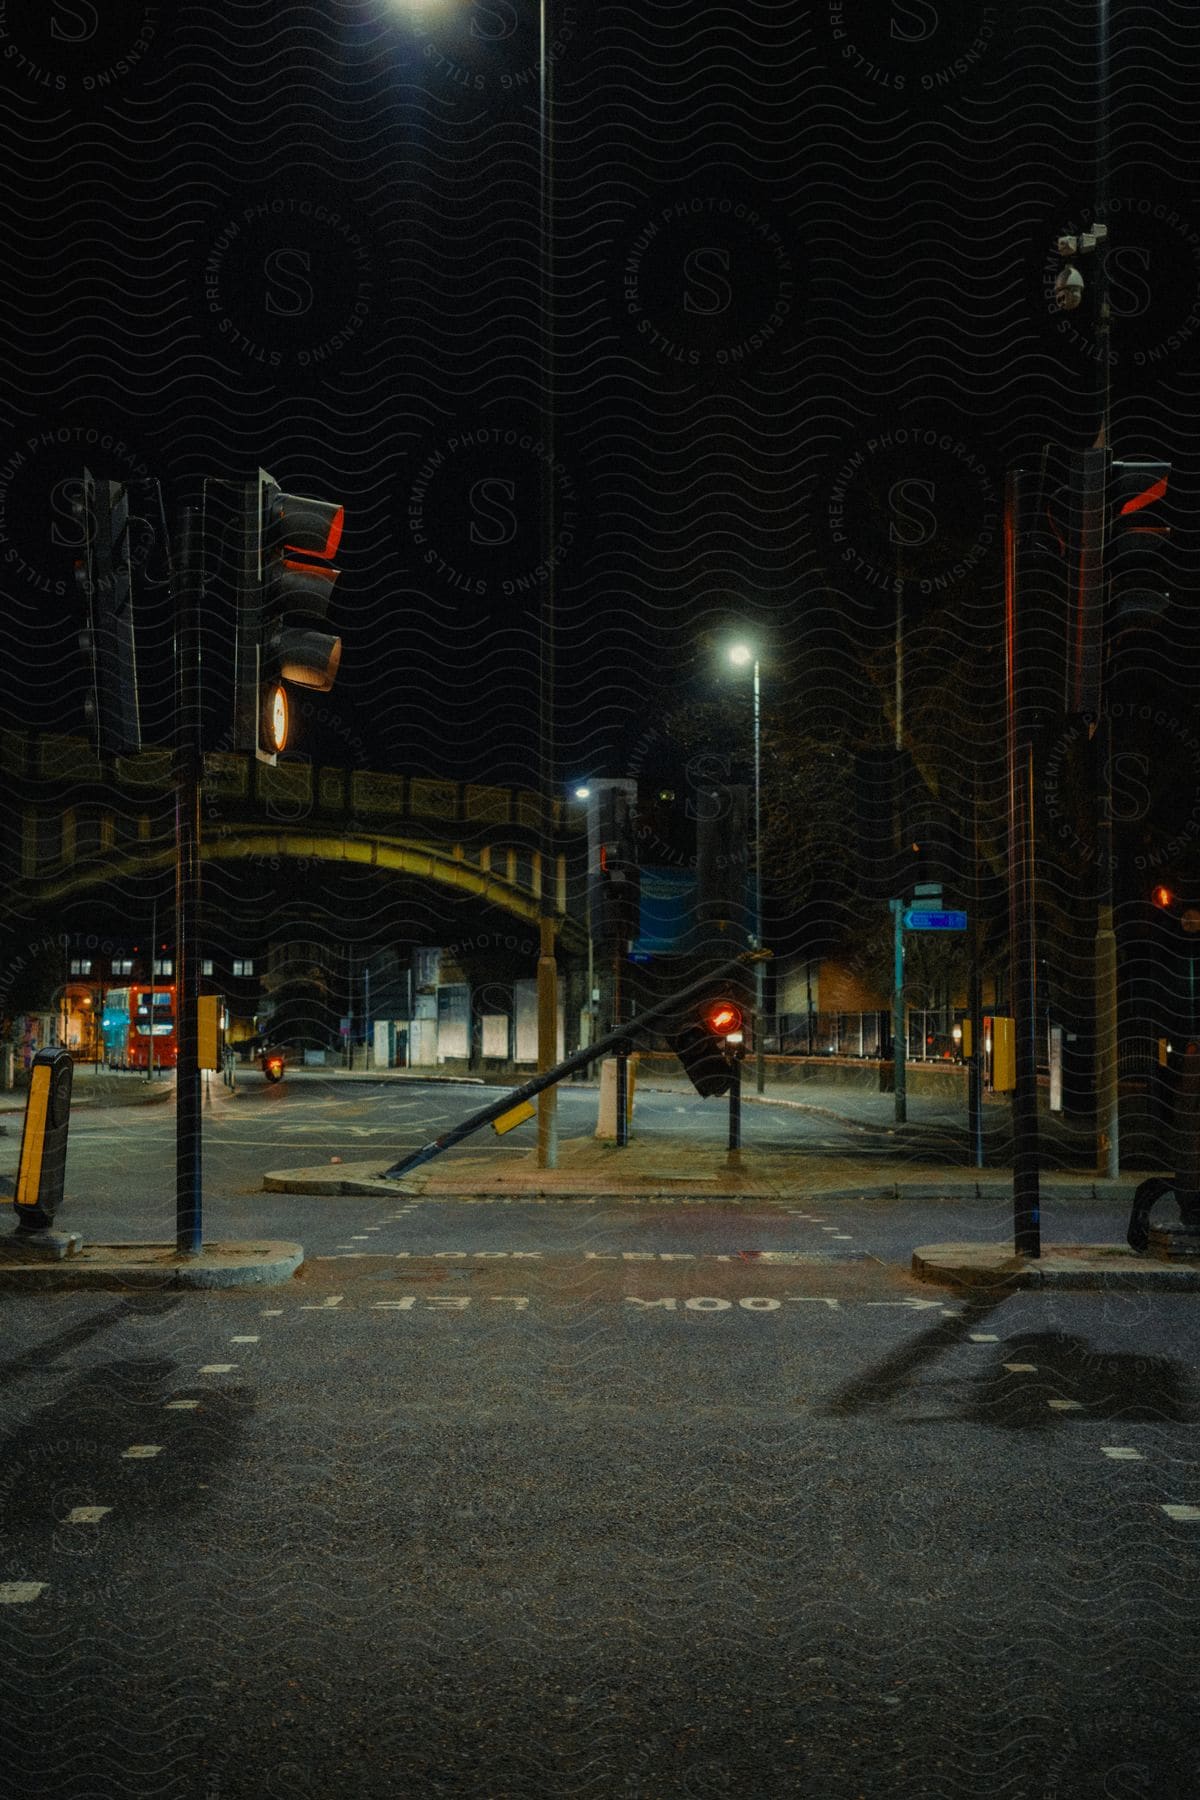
[147, 1266]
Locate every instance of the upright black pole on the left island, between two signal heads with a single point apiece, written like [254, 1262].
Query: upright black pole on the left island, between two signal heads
[188, 773]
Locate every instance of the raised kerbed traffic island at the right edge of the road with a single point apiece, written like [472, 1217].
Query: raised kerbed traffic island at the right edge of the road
[994, 1266]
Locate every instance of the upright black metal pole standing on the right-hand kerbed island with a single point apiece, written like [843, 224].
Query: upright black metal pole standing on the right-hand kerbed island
[1023, 930]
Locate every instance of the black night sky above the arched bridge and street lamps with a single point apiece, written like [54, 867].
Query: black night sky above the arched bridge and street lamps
[800, 262]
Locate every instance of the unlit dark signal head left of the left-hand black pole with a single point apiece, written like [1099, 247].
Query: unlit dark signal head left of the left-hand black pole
[105, 582]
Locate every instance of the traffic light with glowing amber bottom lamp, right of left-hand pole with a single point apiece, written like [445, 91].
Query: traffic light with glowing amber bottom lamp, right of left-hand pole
[289, 544]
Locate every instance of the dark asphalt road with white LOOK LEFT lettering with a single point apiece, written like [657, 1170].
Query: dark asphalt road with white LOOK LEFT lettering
[600, 1500]
